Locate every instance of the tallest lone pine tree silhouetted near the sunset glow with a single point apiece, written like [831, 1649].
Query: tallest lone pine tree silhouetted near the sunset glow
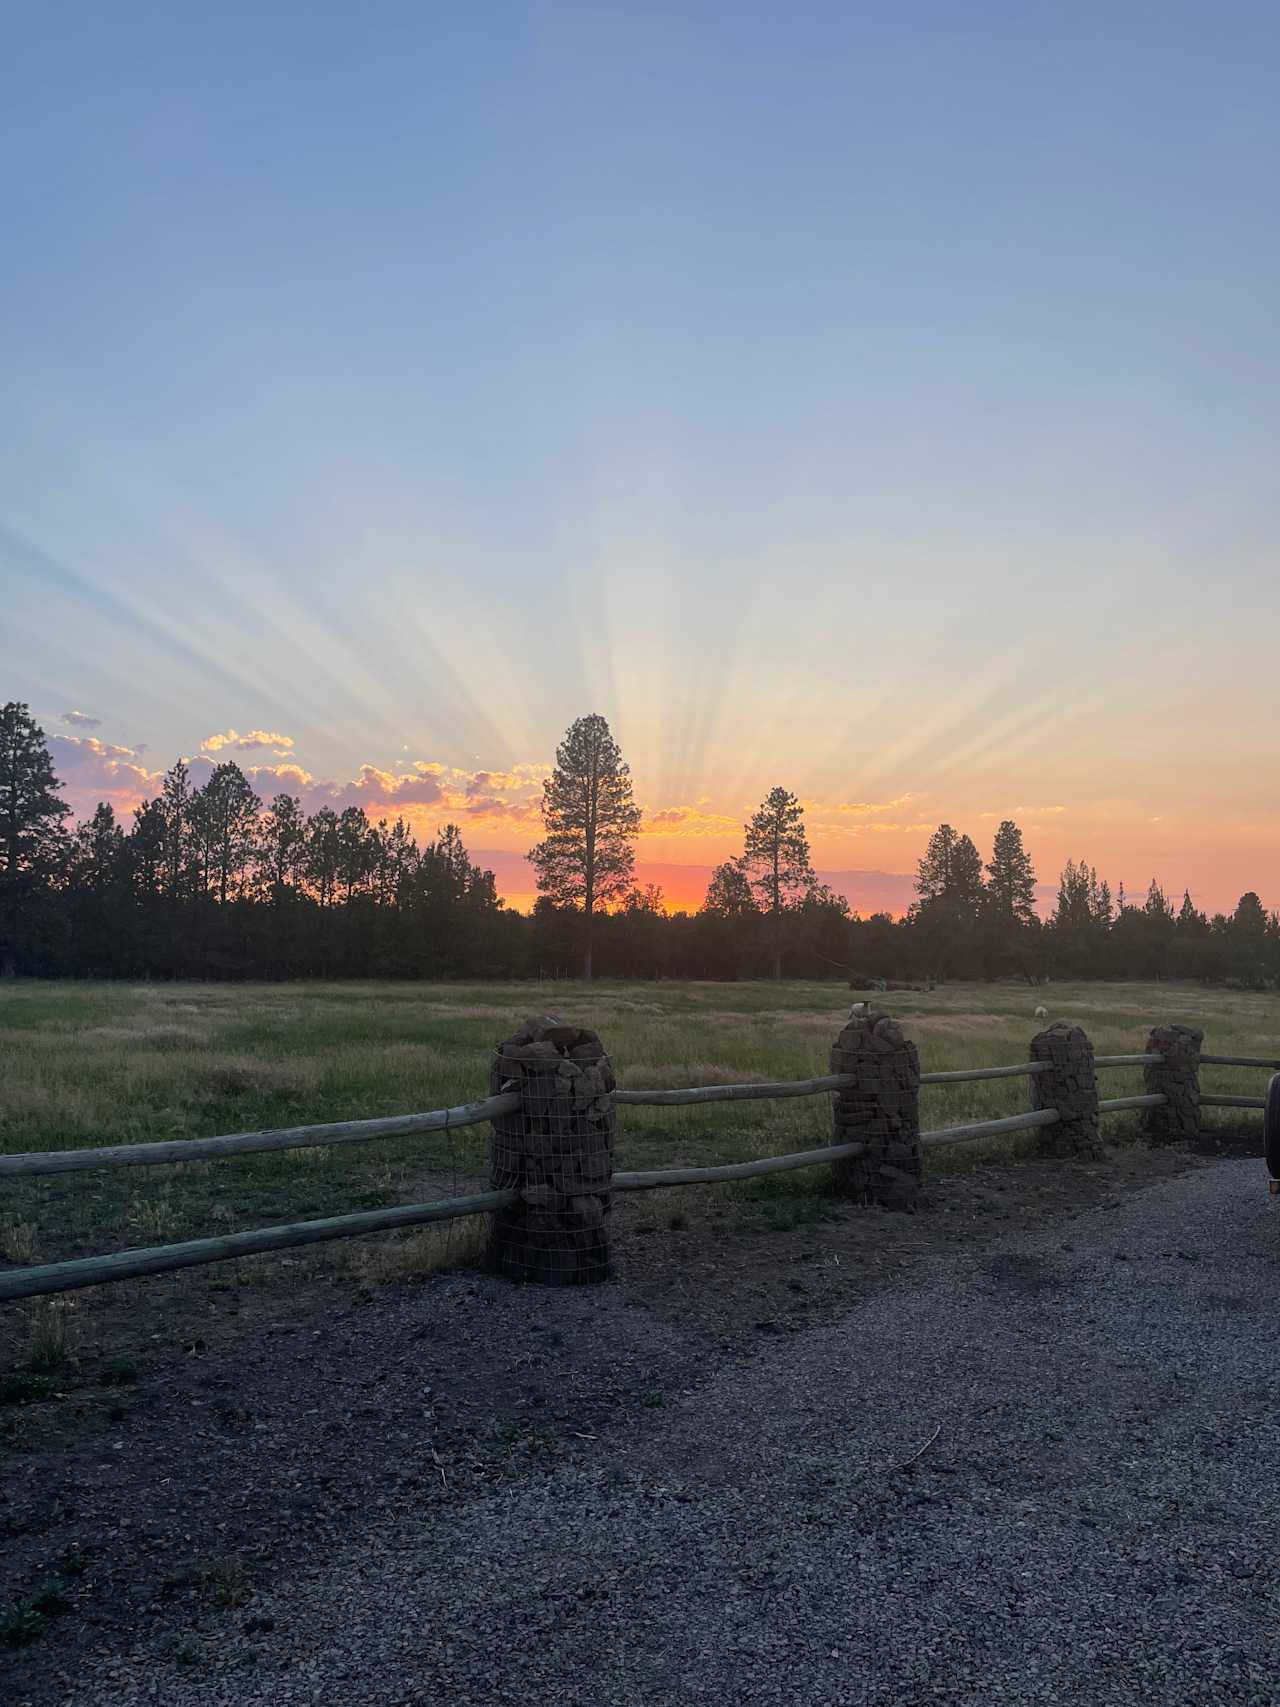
[591, 822]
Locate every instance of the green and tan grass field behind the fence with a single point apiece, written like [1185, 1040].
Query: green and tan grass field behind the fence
[107, 1064]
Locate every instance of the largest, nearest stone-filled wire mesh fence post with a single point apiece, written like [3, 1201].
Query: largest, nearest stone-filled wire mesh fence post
[557, 1153]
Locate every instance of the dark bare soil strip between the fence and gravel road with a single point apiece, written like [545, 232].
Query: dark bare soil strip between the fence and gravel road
[209, 1433]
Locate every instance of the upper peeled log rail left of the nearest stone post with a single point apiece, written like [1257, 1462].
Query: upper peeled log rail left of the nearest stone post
[252, 1143]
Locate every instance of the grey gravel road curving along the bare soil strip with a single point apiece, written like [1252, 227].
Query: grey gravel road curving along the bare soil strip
[1090, 1517]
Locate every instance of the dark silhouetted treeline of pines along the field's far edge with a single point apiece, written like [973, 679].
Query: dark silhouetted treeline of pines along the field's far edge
[209, 883]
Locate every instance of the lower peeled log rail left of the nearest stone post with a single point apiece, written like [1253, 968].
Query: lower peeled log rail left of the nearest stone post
[160, 1259]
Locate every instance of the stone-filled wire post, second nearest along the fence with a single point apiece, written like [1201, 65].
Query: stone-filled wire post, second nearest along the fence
[880, 1110]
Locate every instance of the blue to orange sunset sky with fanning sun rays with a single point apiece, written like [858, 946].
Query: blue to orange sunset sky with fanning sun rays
[873, 400]
